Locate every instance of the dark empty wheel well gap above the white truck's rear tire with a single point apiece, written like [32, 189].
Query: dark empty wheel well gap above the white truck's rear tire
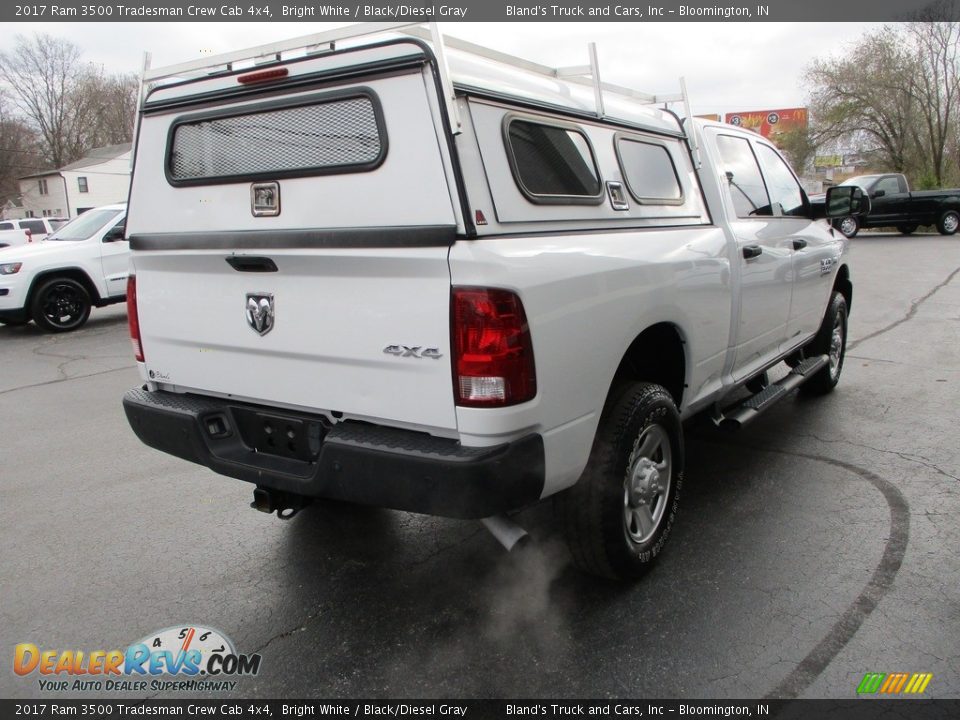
[656, 355]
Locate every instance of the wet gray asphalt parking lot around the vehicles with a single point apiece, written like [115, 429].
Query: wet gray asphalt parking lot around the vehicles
[813, 547]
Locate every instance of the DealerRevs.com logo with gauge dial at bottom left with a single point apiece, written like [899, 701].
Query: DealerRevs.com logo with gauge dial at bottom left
[185, 657]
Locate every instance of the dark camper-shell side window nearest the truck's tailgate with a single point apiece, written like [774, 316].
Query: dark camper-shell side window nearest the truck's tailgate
[552, 163]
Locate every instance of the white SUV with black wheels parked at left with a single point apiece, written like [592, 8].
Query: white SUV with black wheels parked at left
[55, 282]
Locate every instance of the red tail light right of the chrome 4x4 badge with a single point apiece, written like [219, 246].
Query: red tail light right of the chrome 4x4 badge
[493, 354]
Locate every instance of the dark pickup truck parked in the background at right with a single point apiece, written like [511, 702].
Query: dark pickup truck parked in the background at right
[894, 205]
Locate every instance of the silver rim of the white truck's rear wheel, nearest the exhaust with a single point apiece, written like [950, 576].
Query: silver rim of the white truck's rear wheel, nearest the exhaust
[647, 484]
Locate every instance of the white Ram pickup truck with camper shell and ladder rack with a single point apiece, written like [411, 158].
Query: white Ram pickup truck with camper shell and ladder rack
[426, 276]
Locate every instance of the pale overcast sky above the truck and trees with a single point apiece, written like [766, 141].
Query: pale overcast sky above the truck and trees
[728, 66]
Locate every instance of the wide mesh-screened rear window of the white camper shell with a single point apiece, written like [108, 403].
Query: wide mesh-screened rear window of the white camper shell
[319, 135]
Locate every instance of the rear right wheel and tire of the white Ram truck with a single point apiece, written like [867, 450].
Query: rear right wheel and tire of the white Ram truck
[618, 516]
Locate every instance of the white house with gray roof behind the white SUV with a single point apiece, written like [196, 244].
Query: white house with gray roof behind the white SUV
[101, 177]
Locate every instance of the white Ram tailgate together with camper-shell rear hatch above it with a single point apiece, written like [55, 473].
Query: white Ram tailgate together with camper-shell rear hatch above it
[291, 249]
